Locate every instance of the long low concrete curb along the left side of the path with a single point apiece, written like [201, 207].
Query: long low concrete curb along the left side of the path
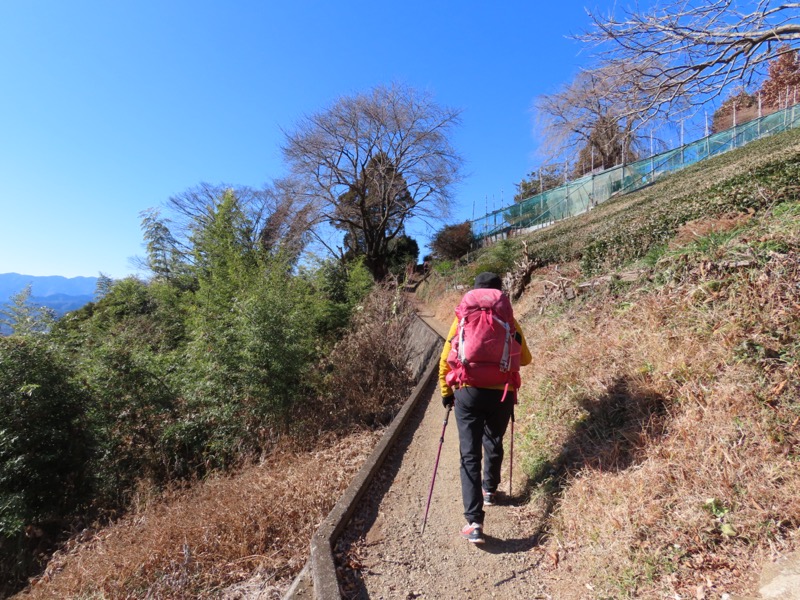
[424, 343]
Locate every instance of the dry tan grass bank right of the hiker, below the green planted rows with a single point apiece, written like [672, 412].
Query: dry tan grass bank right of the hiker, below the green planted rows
[674, 414]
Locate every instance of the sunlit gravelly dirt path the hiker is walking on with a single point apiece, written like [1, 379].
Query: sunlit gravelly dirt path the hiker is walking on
[388, 556]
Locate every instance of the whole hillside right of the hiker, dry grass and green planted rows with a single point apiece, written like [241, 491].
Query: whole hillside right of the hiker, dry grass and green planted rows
[659, 436]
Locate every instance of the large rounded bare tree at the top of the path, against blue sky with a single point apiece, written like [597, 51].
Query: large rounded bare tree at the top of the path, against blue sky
[372, 161]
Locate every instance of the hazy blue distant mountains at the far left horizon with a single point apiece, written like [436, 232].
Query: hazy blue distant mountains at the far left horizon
[62, 294]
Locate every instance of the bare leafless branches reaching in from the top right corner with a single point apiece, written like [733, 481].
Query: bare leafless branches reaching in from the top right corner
[689, 50]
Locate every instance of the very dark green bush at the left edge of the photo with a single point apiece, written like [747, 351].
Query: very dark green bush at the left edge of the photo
[43, 439]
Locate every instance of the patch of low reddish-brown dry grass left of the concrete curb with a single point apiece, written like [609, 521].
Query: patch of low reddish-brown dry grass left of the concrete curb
[197, 543]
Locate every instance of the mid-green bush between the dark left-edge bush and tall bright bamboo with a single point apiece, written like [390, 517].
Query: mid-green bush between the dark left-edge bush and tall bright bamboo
[127, 349]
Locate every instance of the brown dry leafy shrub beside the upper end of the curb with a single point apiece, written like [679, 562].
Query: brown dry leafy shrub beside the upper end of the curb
[368, 376]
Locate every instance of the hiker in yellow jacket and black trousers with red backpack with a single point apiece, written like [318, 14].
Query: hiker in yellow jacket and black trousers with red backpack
[482, 394]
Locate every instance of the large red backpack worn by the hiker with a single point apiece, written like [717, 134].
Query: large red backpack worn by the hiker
[485, 351]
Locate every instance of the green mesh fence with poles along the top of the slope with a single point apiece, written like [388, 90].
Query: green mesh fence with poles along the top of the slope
[581, 195]
